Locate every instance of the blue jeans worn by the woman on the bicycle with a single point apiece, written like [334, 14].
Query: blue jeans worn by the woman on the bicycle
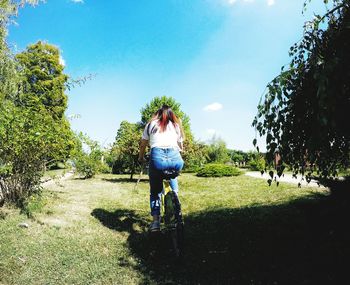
[162, 159]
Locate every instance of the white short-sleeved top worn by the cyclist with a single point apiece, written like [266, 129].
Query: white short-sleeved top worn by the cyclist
[167, 139]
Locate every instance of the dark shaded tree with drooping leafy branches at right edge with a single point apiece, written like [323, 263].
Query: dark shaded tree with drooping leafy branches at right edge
[305, 111]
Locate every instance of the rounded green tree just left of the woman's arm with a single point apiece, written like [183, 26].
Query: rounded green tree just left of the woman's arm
[126, 148]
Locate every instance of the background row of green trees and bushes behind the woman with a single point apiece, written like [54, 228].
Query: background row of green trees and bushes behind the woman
[123, 154]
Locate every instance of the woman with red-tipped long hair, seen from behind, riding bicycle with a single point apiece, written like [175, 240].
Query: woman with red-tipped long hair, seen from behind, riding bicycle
[164, 134]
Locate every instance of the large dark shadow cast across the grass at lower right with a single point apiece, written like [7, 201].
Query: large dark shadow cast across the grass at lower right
[303, 242]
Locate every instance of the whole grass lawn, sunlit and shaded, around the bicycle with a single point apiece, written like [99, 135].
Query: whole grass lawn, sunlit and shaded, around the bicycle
[238, 231]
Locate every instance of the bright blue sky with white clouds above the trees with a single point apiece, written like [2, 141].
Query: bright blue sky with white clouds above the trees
[215, 57]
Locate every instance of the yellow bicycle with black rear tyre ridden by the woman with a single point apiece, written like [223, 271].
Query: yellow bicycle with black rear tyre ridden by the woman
[171, 215]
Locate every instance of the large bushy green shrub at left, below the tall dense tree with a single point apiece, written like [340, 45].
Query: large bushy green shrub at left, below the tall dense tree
[28, 142]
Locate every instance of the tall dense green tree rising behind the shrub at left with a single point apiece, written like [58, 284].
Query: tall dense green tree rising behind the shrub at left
[44, 80]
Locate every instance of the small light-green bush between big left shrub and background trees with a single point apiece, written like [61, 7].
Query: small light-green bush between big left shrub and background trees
[88, 157]
